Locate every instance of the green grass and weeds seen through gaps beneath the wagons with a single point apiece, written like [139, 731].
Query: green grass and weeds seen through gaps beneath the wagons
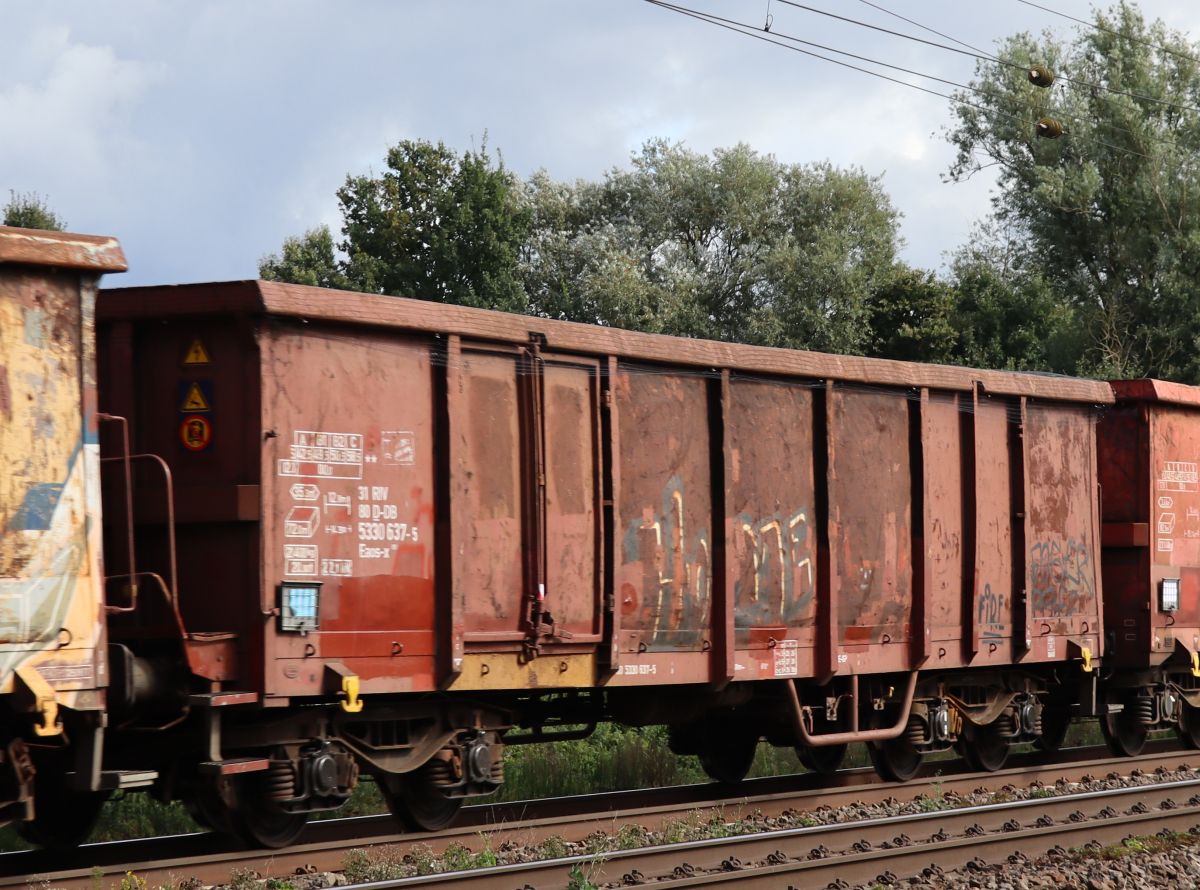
[614, 759]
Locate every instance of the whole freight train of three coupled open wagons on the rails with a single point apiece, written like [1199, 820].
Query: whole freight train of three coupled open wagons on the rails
[353, 536]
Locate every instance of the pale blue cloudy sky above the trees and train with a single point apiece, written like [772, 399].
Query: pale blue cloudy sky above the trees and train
[202, 135]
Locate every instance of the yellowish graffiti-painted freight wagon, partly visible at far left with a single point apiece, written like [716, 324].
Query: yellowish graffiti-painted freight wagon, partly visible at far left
[53, 667]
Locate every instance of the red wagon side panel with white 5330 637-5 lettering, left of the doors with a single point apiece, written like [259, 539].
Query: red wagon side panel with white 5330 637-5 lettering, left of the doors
[351, 506]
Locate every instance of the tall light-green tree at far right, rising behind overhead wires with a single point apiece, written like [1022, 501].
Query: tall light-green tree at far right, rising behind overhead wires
[1106, 214]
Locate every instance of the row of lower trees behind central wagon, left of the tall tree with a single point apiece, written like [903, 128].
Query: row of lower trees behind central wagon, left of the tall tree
[733, 245]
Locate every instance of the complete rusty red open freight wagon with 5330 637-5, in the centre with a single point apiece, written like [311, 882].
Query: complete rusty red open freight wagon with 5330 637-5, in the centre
[460, 530]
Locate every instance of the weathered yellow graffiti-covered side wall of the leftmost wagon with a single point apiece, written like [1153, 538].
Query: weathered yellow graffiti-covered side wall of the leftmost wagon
[51, 598]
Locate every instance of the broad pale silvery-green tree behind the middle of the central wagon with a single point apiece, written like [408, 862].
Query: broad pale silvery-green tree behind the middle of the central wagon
[733, 246]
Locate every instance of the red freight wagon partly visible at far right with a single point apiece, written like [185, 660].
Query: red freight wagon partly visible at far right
[1149, 449]
